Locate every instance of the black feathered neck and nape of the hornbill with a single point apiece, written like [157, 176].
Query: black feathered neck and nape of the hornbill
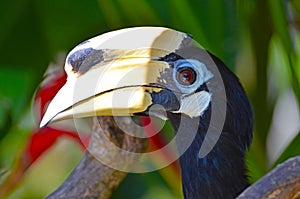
[222, 173]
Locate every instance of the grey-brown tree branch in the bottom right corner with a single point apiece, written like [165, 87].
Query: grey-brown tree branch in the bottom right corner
[282, 182]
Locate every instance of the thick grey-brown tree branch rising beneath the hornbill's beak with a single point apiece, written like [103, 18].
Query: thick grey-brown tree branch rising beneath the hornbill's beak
[93, 179]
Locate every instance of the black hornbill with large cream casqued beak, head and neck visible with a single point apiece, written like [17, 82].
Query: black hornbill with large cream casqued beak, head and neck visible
[163, 72]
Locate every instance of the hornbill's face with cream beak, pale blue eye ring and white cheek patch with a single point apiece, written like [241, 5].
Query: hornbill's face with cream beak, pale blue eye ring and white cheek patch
[147, 70]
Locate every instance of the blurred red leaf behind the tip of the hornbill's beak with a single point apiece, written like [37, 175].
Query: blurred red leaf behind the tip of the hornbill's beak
[41, 139]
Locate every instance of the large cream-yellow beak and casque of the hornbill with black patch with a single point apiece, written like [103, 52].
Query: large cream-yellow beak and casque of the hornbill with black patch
[121, 81]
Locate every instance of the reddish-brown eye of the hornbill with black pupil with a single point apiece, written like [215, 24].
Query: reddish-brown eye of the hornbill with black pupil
[186, 76]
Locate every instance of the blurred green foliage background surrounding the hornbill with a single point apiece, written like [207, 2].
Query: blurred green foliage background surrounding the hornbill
[258, 40]
